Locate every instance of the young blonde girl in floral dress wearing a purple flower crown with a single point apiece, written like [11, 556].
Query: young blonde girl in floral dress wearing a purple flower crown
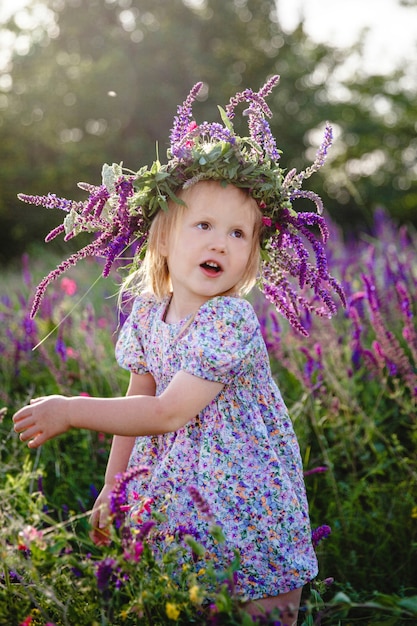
[202, 409]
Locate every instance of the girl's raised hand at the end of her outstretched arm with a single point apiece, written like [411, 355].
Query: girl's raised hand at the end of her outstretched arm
[43, 419]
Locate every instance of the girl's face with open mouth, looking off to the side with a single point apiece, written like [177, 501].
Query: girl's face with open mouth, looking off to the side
[209, 250]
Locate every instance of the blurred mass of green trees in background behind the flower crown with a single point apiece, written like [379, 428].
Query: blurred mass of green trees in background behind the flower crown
[94, 81]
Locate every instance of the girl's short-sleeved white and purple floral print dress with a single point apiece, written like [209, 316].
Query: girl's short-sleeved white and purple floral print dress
[240, 452]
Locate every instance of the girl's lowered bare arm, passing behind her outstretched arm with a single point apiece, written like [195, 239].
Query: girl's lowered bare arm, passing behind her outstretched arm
[121, 449]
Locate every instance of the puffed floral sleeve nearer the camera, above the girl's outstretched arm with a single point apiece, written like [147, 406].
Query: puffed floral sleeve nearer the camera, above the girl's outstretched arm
[221, 341]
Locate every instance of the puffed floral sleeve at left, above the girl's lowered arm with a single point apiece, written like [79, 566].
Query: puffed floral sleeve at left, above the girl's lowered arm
[129, 346]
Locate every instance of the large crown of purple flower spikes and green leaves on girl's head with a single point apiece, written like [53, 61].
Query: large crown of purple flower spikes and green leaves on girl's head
[122, 208]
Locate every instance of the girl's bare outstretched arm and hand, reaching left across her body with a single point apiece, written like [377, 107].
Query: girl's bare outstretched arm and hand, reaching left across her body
[183, 399]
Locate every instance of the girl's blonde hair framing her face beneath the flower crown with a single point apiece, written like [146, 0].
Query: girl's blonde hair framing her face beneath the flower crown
[153, 274]
